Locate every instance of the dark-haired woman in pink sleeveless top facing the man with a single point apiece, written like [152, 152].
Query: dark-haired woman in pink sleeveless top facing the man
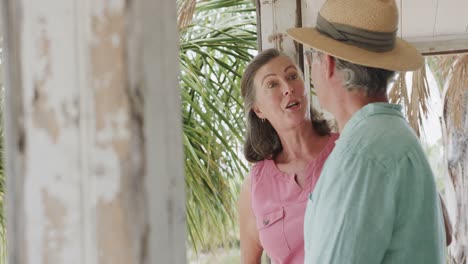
[289, 143]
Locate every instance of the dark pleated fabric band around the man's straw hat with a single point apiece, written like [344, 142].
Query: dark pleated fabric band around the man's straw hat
[365, 39]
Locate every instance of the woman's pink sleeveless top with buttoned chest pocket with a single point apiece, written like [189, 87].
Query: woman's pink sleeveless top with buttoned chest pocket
[279, 205]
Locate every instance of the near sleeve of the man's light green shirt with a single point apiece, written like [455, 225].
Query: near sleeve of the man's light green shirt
[353, 214]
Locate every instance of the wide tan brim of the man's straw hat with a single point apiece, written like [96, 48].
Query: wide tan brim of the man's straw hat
[403, 57]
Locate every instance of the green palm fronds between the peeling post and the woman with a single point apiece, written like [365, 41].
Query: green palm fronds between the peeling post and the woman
[215, 47]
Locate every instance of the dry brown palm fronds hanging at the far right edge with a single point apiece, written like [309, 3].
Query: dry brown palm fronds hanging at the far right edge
[455, 130]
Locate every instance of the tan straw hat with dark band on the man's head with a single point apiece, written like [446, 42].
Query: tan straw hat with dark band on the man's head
[362, 32]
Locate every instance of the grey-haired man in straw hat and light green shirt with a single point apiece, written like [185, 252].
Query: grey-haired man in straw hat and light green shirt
[376, 200]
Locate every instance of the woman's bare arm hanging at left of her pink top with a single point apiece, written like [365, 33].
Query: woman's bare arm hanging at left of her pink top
[251, 249]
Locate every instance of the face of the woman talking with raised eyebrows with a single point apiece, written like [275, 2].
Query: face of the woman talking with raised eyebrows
[280, 94]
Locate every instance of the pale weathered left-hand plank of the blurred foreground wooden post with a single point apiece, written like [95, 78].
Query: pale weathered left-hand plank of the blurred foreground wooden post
[47, 123]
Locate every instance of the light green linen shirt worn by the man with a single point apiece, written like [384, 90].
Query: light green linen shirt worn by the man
[376, 199]
